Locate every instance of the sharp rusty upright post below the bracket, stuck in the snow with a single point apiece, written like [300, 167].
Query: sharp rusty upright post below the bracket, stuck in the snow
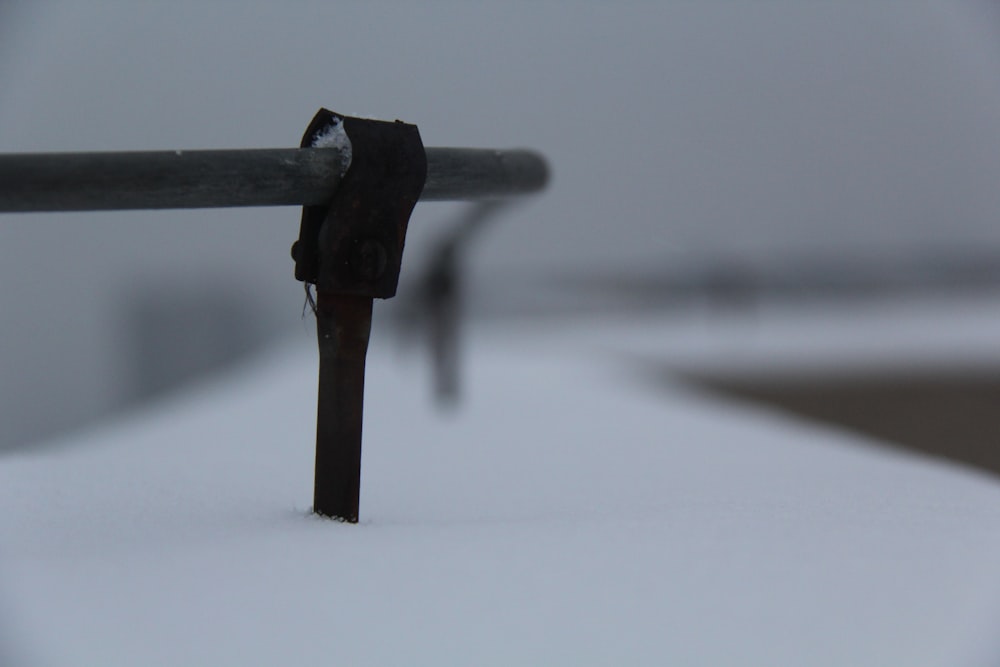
[343, 326]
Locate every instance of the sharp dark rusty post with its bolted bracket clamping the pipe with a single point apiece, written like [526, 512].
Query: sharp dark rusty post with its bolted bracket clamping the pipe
[352, 250]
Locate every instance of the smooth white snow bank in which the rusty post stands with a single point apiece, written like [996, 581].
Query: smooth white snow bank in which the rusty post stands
[567, 514]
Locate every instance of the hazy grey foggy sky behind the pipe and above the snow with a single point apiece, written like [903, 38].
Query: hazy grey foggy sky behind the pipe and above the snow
[751, 135]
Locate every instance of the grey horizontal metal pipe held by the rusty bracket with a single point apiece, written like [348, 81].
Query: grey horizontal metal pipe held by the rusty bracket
[231, 178]
